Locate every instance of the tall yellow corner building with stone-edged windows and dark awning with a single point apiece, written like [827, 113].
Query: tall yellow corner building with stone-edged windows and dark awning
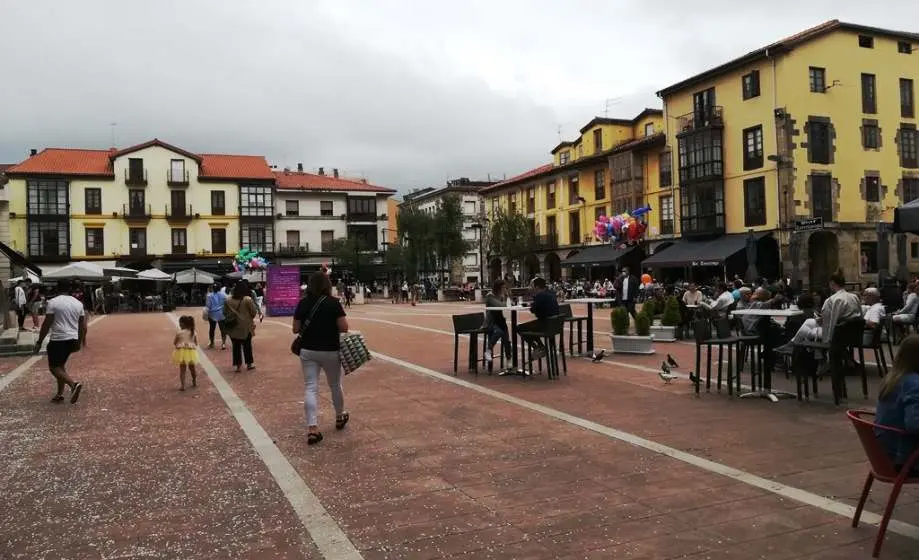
[815, 133]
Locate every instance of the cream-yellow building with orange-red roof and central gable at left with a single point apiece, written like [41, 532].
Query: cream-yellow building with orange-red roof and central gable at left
[152, 204]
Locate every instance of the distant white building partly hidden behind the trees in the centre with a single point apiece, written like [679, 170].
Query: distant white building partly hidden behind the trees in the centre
[473, 205]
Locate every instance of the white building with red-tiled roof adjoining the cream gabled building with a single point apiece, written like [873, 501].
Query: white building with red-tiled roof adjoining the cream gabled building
[313, 210]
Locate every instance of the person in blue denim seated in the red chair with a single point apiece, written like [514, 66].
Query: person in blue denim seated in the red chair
[898, 405]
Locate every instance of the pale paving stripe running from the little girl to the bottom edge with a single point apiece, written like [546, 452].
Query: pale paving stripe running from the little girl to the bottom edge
[328, 536]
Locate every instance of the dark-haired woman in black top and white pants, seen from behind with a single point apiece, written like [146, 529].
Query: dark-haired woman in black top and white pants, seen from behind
[319, 320]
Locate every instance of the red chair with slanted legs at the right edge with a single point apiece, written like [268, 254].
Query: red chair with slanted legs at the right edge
[882, 468]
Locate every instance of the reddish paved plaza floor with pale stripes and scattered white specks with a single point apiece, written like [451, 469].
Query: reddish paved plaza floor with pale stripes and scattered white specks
[607, 462]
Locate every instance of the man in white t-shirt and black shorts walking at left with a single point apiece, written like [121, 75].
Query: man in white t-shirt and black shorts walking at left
[65, 319]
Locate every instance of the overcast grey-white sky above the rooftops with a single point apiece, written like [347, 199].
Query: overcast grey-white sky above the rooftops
[406, 93]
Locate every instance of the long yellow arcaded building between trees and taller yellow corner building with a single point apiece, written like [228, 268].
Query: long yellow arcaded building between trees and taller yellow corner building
[608, 169]
